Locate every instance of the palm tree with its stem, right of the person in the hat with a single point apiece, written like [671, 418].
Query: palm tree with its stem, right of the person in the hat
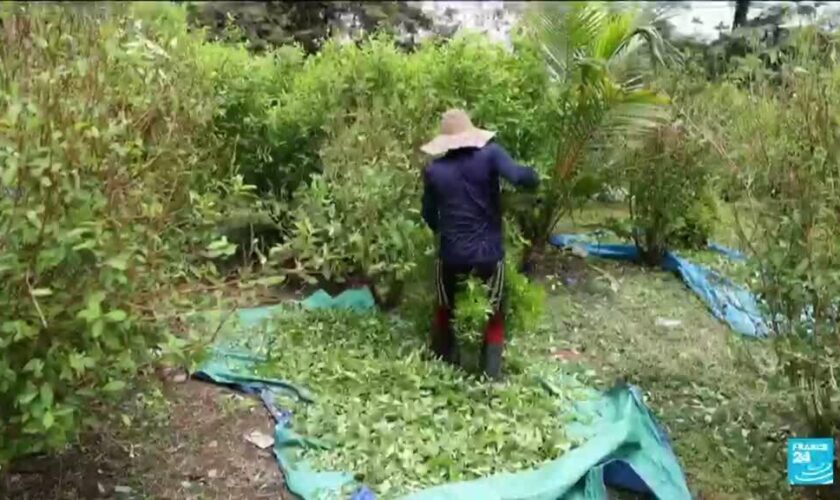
[599, 58]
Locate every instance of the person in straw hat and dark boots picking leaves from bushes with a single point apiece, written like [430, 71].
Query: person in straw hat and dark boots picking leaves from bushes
[461, 204]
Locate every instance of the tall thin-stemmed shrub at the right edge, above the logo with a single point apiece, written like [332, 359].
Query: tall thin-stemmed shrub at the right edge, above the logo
[798, 236]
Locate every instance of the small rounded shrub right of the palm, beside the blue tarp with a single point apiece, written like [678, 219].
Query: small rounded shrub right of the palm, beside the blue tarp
[671, 199]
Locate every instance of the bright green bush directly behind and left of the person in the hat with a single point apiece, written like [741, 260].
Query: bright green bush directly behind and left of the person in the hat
[367, 109]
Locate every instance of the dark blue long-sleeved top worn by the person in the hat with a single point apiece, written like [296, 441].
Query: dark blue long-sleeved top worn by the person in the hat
[462, 202]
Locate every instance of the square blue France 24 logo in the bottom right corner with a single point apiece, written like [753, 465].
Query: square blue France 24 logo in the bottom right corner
[810, 461]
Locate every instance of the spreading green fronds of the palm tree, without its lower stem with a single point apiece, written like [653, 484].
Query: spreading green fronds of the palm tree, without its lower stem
[601, 57]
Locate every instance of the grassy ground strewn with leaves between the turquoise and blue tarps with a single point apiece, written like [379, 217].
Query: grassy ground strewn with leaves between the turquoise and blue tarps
[644, 327]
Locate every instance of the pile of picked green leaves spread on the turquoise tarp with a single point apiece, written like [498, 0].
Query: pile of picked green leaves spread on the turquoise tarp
[397, 419]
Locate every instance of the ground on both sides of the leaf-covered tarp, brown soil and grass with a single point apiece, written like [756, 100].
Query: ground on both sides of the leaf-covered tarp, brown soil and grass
[184, 439]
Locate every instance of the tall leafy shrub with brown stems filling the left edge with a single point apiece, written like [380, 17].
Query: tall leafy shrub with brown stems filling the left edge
[104, 166]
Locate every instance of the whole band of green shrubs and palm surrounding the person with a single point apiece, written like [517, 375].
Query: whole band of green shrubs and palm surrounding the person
[139, 153]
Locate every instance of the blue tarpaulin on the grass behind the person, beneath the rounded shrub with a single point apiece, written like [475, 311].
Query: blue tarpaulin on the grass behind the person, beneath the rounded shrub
[728, 302]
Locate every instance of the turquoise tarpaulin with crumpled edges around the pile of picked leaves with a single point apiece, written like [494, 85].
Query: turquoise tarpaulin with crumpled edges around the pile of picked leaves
[623, 445]
